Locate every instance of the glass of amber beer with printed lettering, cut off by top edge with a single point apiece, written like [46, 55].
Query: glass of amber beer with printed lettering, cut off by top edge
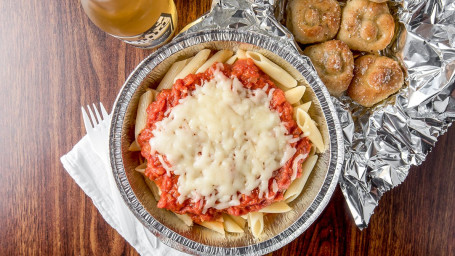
[142, 23]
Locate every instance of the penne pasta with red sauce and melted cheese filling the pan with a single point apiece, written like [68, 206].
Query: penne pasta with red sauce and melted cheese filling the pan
[225, 140]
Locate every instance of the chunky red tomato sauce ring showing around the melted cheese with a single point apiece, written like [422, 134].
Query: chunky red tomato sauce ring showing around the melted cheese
[252, 78]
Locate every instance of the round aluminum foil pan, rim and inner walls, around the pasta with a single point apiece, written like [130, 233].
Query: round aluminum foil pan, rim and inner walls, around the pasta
[196, 240]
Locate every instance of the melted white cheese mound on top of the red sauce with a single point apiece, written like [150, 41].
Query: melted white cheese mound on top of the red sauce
[222, 140]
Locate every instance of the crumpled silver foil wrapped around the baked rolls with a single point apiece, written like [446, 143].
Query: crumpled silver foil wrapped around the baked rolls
[383, 142]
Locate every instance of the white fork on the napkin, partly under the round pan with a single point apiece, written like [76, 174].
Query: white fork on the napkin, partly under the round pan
[97, 127]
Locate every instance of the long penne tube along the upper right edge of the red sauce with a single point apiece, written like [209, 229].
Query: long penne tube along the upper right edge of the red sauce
[272, 69]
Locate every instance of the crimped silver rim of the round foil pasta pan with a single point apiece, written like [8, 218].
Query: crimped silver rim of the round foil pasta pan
[302, 64]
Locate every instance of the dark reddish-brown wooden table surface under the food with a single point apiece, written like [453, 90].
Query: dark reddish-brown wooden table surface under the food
[53, 60]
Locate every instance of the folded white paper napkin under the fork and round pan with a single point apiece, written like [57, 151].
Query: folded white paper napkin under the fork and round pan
[90, 172]
